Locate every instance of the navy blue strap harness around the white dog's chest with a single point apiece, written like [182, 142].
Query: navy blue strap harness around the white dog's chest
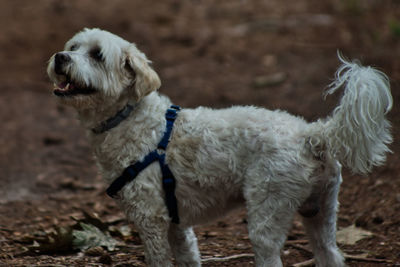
[168, 179]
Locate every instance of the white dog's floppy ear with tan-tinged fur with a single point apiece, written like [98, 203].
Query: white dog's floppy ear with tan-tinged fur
[144, 79]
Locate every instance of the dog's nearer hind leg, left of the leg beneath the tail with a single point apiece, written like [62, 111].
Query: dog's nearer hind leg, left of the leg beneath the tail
[270, 214]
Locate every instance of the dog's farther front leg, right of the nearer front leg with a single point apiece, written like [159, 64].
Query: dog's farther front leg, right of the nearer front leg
[183, 244]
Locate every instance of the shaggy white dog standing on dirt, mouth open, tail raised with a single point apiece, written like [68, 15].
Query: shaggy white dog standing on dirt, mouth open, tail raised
[273, 163]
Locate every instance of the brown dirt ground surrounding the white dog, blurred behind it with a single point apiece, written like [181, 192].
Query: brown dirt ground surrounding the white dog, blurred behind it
[270, 53]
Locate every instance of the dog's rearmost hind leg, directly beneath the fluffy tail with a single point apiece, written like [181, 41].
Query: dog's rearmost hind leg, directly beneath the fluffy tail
[321, 228]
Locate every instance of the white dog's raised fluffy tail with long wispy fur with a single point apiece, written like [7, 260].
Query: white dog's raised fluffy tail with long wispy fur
[357, 133]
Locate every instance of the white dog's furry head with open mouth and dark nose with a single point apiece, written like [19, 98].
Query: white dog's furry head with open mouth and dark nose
[96, 64]
